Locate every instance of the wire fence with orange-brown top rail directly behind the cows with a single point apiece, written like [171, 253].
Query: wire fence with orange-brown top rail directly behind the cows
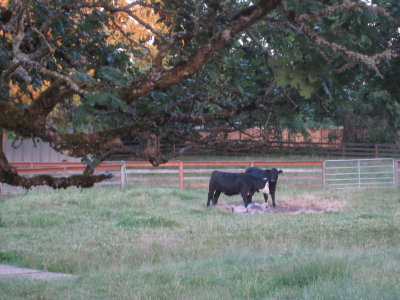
[178, 174]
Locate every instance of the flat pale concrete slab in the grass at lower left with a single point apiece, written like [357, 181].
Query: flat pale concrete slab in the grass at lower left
[7, 271]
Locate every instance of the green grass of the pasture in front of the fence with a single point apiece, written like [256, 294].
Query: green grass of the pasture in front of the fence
[158, 243]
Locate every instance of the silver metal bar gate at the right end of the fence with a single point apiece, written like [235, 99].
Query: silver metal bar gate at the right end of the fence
[360, 173]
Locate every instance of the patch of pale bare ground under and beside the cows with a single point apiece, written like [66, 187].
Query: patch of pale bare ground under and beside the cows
[286, 206]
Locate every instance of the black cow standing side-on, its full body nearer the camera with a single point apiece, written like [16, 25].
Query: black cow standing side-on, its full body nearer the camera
[234, 184]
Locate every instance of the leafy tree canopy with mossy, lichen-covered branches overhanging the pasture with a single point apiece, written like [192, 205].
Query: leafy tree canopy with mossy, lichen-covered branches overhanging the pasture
[97, 78]
